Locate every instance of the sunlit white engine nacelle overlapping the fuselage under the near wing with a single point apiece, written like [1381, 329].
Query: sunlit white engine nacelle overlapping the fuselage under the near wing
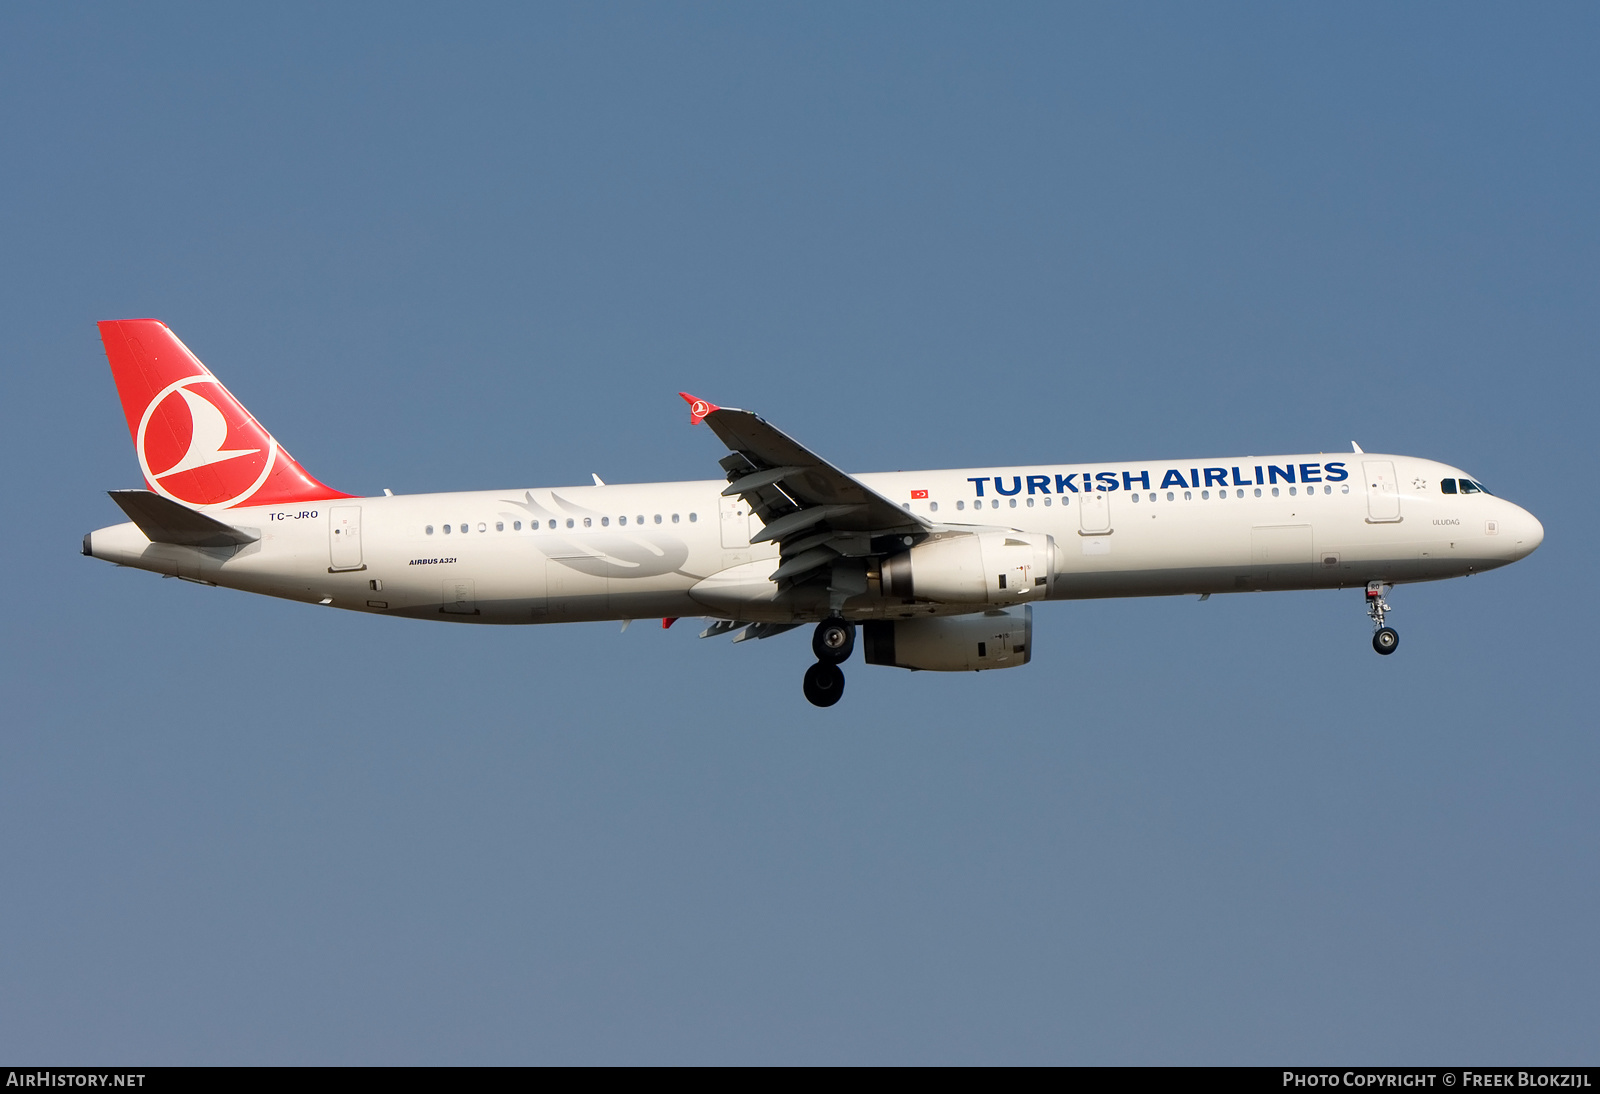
[974, 569]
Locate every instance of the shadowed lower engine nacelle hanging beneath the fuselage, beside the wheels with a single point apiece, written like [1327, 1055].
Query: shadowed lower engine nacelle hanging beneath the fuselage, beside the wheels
[953, 644]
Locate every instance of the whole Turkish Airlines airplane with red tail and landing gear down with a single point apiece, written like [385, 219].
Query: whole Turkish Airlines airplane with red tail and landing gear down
[940, 570]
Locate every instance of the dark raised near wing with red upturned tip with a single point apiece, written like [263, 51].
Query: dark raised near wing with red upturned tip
[815, 513]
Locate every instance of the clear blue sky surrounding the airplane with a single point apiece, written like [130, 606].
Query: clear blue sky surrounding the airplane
[479, 247]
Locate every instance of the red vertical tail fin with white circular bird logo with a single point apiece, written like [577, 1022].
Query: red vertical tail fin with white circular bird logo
[196, 442]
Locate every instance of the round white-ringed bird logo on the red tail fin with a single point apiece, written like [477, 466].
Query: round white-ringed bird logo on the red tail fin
[199, 447]
